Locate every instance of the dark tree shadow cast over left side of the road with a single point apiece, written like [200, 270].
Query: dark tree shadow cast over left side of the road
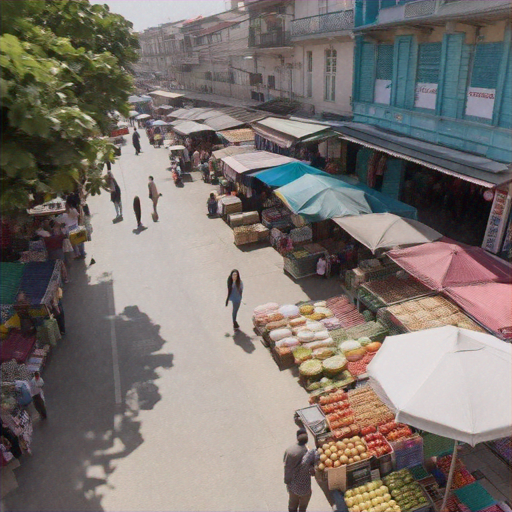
[101, 375]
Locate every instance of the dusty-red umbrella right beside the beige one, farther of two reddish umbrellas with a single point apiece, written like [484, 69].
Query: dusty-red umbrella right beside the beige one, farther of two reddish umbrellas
[447, 263]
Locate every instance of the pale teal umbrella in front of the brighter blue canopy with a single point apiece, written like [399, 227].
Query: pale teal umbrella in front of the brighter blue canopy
[318, 198]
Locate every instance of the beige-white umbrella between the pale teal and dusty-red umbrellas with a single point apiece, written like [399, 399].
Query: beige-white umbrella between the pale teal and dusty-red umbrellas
[386, 230]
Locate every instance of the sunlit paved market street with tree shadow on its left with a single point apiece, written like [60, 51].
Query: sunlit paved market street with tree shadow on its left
[153, 403]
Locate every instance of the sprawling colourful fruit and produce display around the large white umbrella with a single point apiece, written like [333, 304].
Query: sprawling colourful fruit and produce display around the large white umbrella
[364, 456]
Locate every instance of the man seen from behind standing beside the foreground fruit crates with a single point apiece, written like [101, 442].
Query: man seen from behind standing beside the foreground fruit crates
[299, 465]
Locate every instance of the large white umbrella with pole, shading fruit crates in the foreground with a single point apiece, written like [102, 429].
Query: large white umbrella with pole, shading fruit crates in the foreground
[452, 382]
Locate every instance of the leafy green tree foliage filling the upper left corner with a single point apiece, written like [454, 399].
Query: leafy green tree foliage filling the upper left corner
[65, 67]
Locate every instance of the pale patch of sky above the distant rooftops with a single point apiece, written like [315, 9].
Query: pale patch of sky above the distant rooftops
[151, 13]
